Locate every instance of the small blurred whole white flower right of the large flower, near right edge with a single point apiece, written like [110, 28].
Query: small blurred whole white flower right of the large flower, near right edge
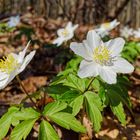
[126, 32]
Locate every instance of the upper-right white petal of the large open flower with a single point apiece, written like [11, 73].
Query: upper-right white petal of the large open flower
[115, 45]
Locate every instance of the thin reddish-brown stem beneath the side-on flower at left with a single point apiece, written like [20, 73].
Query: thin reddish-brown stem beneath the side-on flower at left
[25, 91]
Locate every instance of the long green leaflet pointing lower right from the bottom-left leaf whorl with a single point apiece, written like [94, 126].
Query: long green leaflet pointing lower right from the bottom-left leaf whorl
[67, 121]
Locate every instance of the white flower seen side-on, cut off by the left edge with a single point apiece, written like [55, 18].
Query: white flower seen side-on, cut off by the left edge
[12, 65]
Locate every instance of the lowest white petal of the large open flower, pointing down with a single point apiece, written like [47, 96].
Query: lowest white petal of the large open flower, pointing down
[108, 75]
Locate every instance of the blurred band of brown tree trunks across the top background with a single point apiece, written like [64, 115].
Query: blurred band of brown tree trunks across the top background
[80, 11]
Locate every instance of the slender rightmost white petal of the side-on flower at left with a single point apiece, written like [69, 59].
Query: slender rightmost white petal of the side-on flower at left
[26, 61]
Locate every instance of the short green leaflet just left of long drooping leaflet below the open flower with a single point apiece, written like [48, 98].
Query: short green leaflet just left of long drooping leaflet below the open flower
[76, 104]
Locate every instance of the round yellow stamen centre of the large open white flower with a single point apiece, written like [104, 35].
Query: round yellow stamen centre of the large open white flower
[102, 55]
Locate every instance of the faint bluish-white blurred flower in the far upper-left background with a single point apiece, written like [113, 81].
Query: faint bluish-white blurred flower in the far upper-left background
[14, 21]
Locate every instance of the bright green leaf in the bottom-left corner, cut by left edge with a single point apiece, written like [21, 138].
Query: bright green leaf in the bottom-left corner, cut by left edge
[6, 121]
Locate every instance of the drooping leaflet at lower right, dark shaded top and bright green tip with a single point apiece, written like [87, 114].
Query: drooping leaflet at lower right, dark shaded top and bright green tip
[116, 105]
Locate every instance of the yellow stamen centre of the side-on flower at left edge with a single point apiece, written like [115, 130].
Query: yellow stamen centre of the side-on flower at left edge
[8, 64]
